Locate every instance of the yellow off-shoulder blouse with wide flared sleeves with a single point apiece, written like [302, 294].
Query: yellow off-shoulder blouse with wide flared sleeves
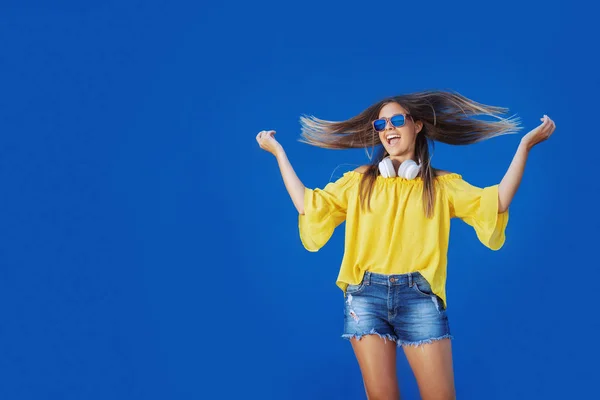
[396, 237]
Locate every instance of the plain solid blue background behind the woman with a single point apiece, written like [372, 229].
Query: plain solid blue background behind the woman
[149, 249]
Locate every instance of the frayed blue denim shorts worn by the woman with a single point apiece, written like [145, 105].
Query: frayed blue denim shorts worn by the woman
[401, 308]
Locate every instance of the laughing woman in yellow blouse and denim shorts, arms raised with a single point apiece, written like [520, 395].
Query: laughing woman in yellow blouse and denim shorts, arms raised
[397, 211]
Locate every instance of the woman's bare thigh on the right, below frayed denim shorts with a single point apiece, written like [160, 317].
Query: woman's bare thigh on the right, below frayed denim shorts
[432, 366]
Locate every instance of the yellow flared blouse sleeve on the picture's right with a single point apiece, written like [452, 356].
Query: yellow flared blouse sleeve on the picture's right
[478, 207]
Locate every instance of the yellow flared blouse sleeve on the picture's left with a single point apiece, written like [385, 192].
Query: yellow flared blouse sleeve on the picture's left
[324, 210]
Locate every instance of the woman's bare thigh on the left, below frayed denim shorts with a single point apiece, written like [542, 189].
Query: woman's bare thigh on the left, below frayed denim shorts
[377, 361]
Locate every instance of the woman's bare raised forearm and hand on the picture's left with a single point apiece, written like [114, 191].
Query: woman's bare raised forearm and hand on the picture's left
[294, 186]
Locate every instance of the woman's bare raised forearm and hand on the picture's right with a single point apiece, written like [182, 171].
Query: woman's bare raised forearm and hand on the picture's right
[512, 179]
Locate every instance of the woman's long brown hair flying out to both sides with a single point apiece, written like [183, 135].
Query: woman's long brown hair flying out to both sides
[446, 118]
